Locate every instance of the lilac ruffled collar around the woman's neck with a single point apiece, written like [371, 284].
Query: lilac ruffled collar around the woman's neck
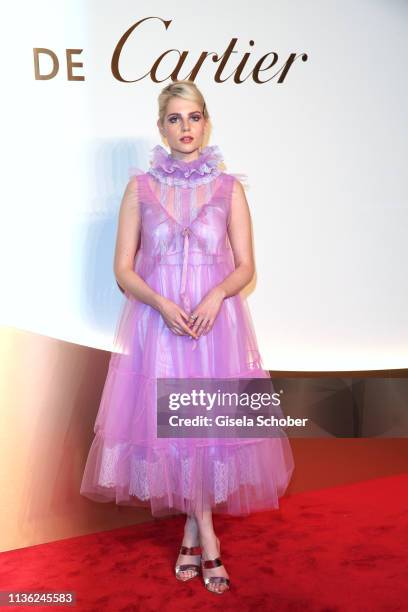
[167, 169]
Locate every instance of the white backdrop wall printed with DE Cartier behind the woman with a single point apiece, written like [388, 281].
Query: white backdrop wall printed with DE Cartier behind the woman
[325, 153]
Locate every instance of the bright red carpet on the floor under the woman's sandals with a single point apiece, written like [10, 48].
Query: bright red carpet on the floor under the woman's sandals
[339, 549]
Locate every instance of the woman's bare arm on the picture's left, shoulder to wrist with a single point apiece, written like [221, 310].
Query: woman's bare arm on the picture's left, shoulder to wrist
[127, 240]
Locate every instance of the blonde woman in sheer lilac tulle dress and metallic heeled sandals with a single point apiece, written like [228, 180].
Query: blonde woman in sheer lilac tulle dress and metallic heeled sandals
[188, 224]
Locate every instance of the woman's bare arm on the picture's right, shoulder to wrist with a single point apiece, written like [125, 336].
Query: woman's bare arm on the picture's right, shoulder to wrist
[239, 233]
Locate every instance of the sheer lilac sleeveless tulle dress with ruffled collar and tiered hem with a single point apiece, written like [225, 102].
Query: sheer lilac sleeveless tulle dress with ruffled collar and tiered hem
[184, 252]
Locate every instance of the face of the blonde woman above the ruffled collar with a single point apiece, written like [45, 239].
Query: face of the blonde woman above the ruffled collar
[183, 119]
